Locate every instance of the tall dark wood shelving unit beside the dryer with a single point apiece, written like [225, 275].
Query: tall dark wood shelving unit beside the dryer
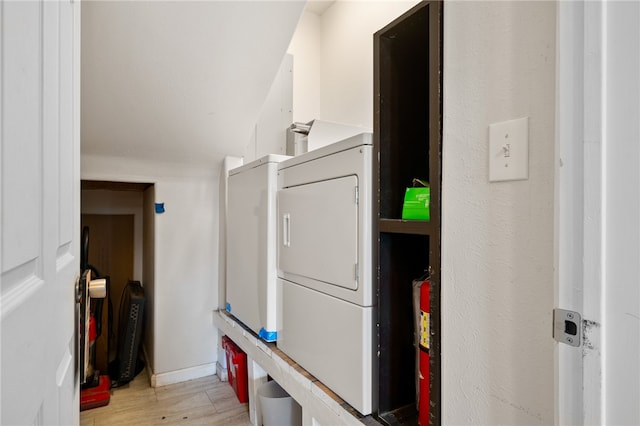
[408, 144]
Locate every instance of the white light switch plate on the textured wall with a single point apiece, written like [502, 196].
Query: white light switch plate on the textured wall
[509, 150]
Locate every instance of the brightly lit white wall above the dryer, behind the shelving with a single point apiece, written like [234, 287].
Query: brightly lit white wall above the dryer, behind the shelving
[339, 46]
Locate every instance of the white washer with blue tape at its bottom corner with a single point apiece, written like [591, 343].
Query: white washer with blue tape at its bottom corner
[251, 246]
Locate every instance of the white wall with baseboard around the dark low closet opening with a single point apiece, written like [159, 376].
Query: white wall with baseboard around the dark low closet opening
[185, 274]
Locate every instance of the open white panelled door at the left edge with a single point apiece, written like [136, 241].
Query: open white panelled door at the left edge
[39, 201]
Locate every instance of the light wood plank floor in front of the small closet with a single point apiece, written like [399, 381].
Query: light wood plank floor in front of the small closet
[204, 401]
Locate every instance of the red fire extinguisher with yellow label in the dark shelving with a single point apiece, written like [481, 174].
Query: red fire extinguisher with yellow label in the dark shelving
[424, 402]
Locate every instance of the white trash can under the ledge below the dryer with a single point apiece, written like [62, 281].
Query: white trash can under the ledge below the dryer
[277, 407]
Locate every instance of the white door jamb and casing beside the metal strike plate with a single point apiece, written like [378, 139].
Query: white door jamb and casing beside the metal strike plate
[598, 210]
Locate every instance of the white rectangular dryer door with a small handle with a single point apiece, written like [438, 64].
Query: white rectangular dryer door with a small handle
[319, 231]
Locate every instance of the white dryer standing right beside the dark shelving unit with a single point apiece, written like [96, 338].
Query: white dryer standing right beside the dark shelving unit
[325, 267]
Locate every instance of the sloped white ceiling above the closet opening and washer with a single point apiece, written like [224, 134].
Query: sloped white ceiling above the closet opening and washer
[179, 81]
